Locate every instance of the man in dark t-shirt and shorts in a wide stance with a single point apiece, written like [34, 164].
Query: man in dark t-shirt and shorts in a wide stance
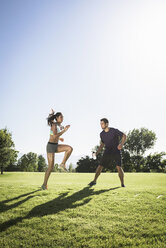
[113, 140]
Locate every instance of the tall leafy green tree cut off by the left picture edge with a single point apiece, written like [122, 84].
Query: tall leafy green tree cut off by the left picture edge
[8, 155]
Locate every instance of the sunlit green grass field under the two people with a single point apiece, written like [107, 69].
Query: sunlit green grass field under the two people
[70, 214]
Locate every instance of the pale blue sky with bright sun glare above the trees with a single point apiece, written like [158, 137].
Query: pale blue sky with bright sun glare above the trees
[87, 59]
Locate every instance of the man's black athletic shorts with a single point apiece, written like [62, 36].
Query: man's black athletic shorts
[111, 159]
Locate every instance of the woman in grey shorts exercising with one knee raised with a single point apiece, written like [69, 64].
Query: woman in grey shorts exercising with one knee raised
[55, 121]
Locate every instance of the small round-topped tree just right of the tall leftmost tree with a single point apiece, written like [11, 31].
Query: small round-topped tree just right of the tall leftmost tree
[28, 162]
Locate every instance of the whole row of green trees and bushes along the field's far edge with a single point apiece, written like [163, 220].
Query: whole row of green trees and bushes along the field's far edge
[138, 142]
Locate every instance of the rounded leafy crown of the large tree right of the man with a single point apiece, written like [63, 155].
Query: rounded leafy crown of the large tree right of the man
[139, 140]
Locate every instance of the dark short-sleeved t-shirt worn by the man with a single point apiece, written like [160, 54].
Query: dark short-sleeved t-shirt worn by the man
[111, 139]
